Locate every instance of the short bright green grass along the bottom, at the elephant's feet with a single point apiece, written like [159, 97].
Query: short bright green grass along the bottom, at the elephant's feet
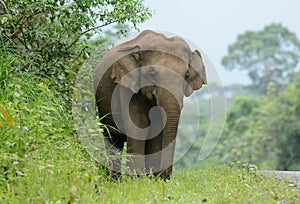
[77, 180]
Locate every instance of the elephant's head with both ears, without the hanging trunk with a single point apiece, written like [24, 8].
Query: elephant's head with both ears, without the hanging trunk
[155, 65]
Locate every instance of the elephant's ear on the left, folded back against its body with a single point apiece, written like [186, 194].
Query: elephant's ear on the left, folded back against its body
[129, 61]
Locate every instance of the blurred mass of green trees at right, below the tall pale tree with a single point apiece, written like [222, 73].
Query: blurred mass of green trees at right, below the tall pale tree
[265, 131]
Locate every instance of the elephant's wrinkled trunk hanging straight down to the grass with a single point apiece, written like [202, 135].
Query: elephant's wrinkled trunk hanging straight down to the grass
[172, 110]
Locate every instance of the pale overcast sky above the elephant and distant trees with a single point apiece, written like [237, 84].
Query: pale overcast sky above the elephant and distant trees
[214, 24]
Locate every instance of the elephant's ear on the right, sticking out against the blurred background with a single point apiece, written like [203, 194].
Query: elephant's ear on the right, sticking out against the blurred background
[196, 75]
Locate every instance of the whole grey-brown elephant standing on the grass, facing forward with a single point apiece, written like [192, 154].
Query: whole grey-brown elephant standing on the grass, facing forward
[166, 62]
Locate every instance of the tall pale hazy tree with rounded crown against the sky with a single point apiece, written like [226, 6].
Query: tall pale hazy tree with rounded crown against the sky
[269, 55]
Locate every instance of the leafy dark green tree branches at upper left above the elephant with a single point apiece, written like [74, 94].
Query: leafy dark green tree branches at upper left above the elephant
[51, 37]
